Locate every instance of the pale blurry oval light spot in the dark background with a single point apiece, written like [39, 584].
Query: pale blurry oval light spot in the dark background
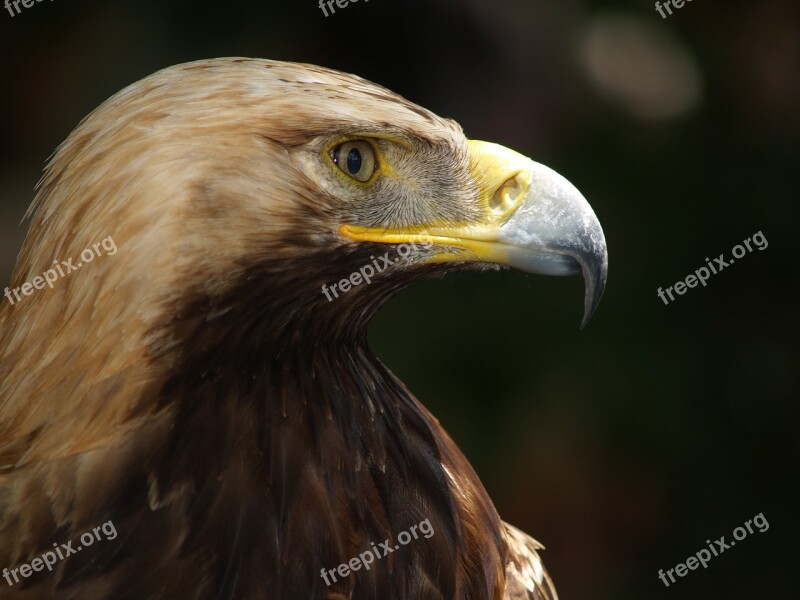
[641, 66]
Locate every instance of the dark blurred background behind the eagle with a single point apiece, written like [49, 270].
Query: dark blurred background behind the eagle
[623, 447]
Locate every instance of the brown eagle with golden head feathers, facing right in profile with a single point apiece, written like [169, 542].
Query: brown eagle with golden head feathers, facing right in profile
[200, 393]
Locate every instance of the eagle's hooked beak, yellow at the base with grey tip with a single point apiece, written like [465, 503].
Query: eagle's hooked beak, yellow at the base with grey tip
[533, 219]
